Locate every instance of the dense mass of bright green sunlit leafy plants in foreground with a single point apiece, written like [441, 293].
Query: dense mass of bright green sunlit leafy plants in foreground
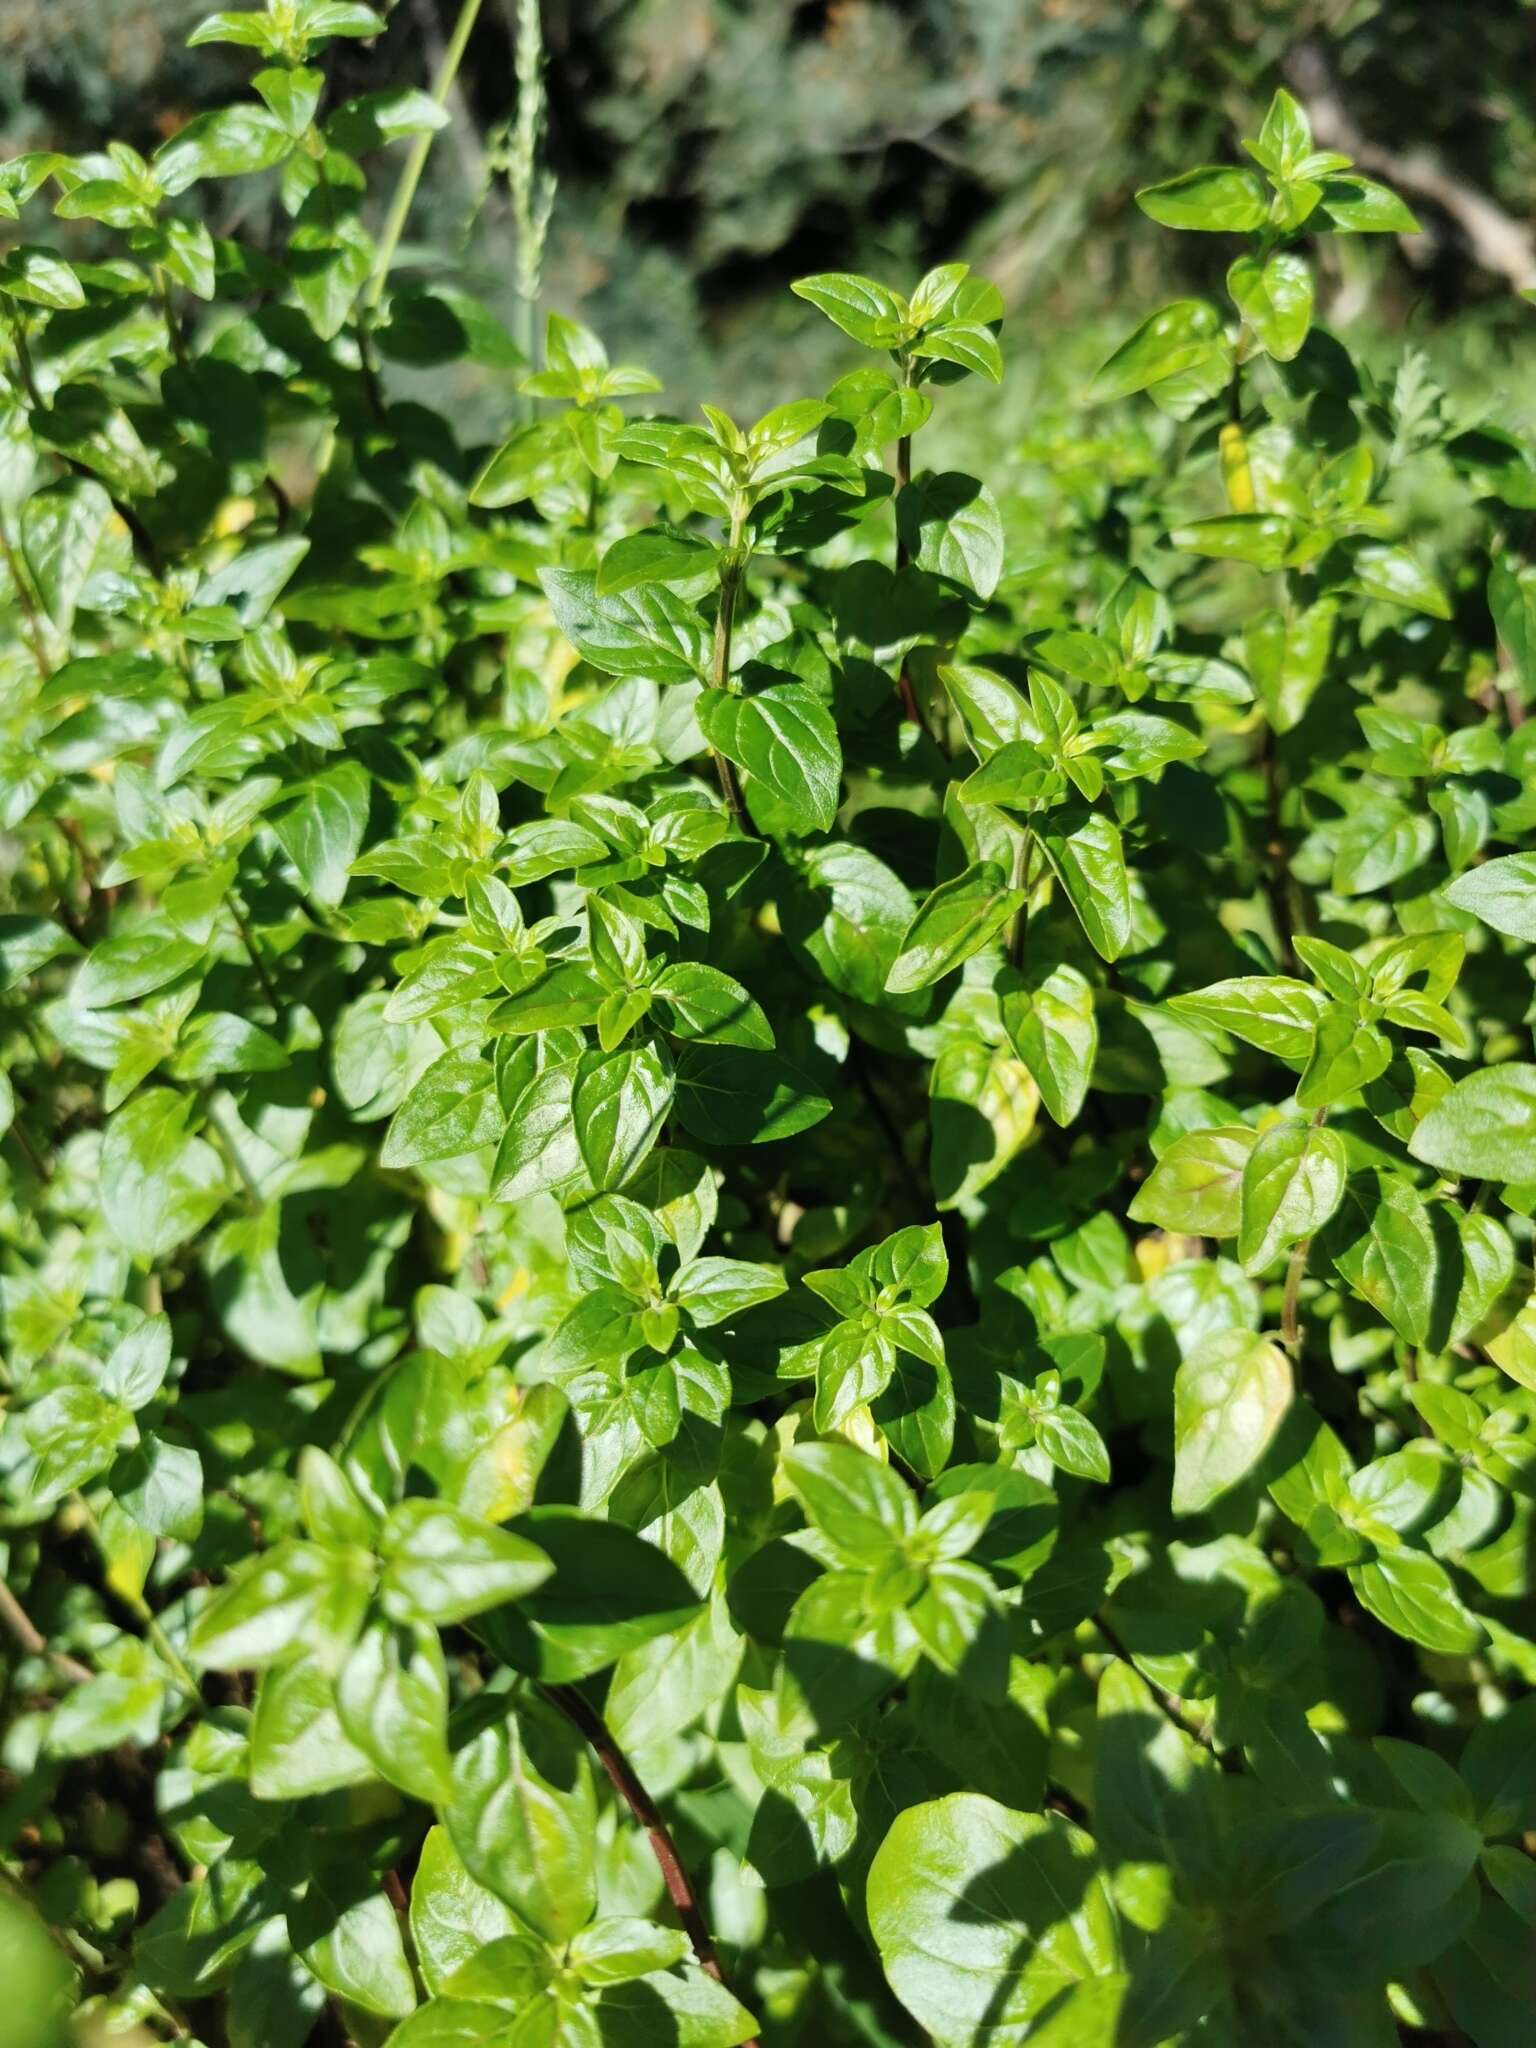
[767, 1213]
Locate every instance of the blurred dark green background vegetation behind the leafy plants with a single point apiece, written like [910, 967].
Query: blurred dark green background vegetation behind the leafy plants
[712, 151]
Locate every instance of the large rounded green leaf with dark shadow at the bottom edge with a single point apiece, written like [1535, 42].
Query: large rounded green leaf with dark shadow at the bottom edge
[966, 1904]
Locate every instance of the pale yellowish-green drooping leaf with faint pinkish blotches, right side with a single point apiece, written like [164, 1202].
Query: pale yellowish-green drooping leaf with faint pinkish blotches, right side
[1230, 1398]
